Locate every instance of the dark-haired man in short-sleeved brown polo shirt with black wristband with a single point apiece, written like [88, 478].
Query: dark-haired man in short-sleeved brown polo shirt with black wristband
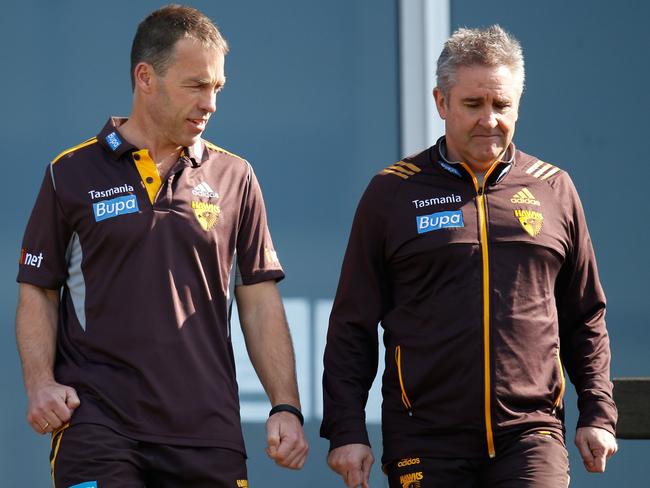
[137, 242]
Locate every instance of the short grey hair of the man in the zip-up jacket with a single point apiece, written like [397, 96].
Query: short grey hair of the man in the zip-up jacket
[491, 46]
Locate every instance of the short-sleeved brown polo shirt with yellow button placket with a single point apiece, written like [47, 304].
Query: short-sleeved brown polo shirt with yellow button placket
[146, 266]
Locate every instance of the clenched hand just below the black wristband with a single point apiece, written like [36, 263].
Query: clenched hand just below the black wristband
[286, 441]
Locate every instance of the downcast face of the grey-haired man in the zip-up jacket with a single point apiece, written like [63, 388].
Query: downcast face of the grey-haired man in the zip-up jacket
[480, 112]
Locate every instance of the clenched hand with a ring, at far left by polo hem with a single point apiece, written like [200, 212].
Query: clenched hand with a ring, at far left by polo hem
[50, 406]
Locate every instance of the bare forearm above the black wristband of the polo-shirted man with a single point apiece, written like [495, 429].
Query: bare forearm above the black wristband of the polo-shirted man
[268, 341]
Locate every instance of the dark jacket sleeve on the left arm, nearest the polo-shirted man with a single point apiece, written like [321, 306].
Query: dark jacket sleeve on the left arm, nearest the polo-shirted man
[351, 354]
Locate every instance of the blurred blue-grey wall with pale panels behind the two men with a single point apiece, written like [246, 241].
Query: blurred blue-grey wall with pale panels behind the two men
[322, 95]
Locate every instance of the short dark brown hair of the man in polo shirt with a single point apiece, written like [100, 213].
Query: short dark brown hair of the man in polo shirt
[159, 32]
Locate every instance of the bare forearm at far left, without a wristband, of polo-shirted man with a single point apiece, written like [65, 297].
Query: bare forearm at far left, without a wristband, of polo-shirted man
[36, 326]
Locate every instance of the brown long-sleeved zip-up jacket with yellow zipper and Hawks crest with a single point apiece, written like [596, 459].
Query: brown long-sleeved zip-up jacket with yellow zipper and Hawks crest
[485, 294]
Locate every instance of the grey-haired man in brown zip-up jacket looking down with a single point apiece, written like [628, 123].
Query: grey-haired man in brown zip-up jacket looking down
[476, 259]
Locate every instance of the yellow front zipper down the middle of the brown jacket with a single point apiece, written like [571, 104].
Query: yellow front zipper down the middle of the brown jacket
[481, 204]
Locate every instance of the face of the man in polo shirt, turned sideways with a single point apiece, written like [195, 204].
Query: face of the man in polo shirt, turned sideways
[183, 99]
